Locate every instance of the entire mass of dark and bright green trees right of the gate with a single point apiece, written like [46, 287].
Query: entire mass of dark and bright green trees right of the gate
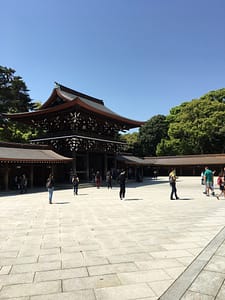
[194, 127]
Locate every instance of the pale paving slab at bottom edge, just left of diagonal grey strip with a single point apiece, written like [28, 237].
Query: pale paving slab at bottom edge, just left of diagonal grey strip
[125, 292]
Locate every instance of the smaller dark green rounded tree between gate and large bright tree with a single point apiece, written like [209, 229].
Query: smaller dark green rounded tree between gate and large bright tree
[151, 134]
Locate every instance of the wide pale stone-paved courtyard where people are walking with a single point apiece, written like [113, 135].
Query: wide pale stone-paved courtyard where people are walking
[96, 247]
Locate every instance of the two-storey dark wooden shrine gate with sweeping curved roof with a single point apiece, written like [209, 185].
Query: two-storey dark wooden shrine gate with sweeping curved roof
[80, 127]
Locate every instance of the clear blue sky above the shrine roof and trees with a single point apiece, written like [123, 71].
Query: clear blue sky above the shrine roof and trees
[142, 57]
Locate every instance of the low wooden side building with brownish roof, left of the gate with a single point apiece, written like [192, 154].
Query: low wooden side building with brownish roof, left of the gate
[36, 162]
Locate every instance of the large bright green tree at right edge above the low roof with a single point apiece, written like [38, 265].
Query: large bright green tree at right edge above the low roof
[196, 127]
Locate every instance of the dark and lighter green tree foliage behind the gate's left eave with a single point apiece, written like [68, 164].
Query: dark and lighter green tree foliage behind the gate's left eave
[14, 98]
